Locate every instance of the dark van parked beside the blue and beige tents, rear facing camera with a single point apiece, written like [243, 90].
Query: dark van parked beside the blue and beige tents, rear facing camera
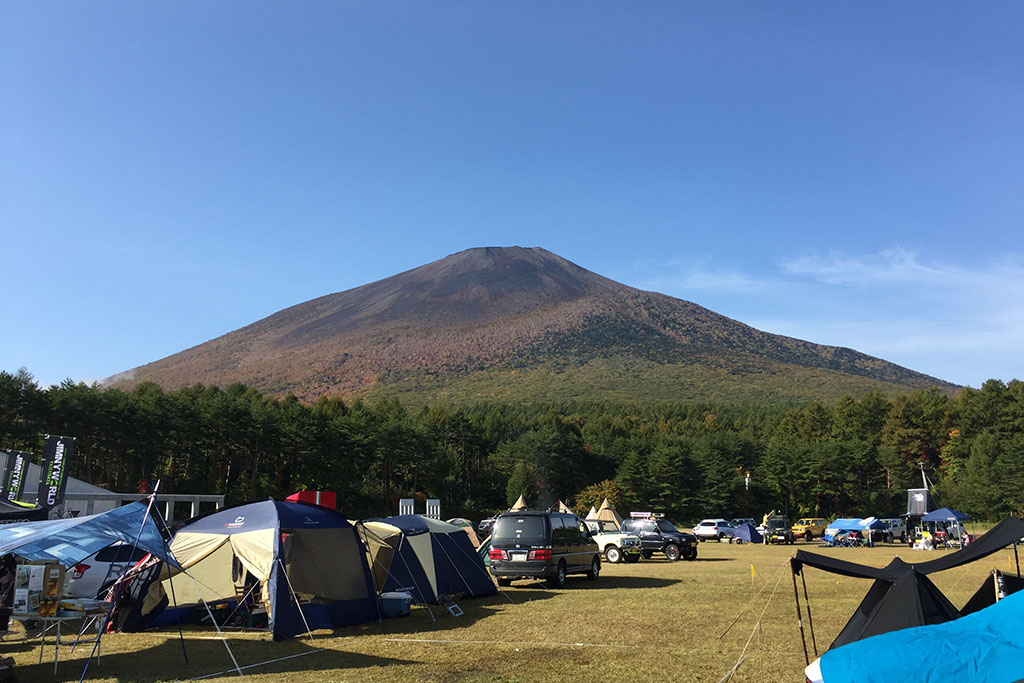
[532, 544]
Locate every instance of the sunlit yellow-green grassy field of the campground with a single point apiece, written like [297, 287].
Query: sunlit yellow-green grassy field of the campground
[655, 620]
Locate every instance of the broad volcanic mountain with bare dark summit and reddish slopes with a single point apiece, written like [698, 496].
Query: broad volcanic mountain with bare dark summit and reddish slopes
[515, 324]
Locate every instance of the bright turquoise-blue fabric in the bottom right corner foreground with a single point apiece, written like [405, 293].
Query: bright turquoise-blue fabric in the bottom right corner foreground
[985, 648]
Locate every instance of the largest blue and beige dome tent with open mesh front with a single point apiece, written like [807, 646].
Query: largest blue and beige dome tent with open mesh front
[306, 564]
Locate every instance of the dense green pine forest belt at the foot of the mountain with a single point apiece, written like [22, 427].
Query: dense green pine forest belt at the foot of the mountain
[855, 457]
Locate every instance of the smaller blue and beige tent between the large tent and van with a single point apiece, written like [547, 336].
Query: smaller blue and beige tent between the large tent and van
[425, 558]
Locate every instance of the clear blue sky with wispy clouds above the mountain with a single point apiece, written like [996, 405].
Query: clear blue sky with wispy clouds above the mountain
[847, 174]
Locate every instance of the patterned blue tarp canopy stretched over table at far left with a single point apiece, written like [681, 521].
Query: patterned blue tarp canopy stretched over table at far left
[72, 540]
